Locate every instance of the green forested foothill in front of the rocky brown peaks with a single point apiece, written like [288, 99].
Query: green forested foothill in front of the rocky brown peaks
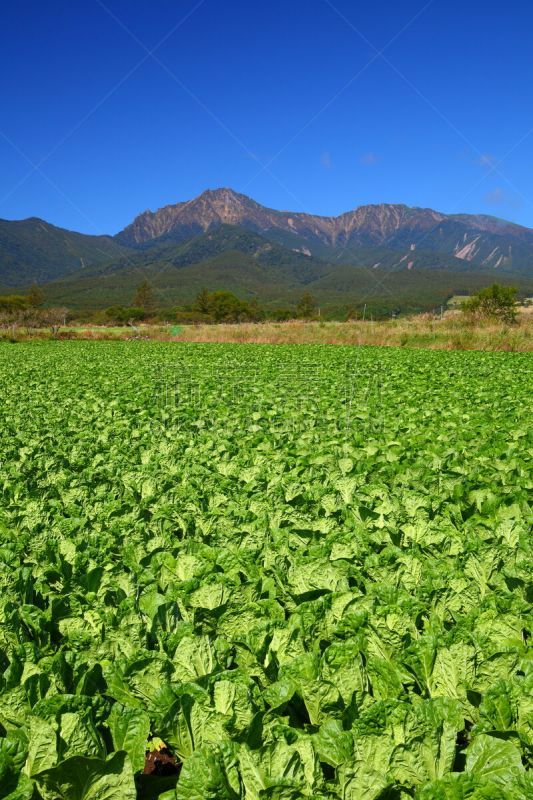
[233, 258]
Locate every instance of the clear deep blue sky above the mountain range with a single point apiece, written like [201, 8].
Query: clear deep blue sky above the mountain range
[301, 104]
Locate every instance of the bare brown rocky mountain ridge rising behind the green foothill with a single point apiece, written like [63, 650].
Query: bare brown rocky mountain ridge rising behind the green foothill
[479, 242]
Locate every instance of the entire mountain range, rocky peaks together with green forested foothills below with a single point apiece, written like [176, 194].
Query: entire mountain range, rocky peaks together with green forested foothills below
[397, 256]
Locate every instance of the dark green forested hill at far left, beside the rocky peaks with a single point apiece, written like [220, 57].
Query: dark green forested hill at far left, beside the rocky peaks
[32, 250]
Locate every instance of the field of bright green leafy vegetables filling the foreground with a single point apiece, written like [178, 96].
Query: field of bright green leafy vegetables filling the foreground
[264, 572]
